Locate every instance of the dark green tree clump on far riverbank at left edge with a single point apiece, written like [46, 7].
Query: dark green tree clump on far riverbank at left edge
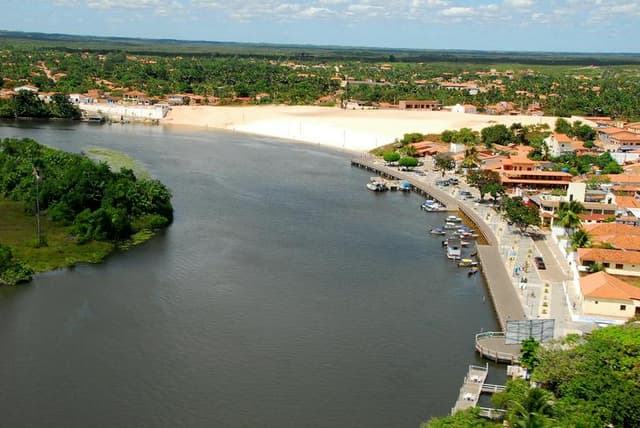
[27, 104]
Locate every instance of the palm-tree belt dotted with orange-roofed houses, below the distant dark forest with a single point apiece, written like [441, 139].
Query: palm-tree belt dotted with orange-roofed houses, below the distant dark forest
[303, 78]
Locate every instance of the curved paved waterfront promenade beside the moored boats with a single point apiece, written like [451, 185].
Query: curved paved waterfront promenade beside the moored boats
[518, 290]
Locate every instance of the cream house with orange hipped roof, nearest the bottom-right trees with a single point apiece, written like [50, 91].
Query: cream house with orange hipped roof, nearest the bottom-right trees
[608, 296]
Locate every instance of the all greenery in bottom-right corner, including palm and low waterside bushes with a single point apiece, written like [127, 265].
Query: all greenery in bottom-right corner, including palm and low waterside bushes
[588, 381]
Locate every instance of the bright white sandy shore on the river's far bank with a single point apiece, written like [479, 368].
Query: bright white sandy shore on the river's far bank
[353, 130]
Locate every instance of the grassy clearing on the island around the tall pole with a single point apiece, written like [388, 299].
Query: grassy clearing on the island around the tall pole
[18, 230]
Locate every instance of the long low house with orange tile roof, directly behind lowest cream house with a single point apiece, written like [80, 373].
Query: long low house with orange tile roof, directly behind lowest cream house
[615, 262]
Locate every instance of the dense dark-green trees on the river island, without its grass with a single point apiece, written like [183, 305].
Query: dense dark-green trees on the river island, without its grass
[95, 202]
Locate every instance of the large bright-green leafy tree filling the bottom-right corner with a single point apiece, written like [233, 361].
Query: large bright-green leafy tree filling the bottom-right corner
[594, 377]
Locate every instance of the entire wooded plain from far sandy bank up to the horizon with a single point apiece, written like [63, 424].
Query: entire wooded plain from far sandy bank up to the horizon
[558, 84]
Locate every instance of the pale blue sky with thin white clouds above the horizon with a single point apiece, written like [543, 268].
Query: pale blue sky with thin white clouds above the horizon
[531, 25]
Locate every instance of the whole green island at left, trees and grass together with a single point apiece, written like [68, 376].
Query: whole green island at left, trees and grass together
[58, 209]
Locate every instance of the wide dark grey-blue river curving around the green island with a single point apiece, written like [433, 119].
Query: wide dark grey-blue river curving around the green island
[283, 295]
